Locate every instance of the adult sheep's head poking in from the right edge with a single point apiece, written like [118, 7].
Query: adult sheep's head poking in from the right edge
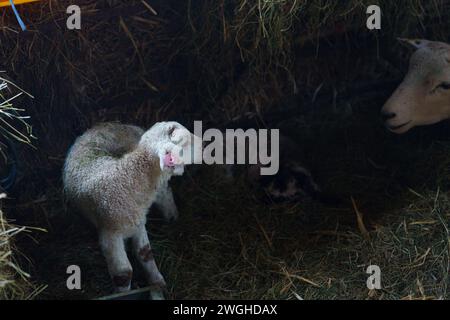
[423, 97]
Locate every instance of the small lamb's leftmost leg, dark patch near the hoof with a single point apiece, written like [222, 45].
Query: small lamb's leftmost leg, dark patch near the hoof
[119, 266]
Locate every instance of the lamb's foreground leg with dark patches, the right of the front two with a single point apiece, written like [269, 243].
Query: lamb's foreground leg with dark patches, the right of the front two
[143, 251]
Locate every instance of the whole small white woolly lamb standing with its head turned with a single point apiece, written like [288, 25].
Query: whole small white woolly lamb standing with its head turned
[113, 174]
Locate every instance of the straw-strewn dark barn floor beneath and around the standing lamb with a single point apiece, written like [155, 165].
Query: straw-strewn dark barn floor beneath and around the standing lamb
[228, 244]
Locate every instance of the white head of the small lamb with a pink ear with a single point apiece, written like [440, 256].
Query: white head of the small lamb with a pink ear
[174, 145]
